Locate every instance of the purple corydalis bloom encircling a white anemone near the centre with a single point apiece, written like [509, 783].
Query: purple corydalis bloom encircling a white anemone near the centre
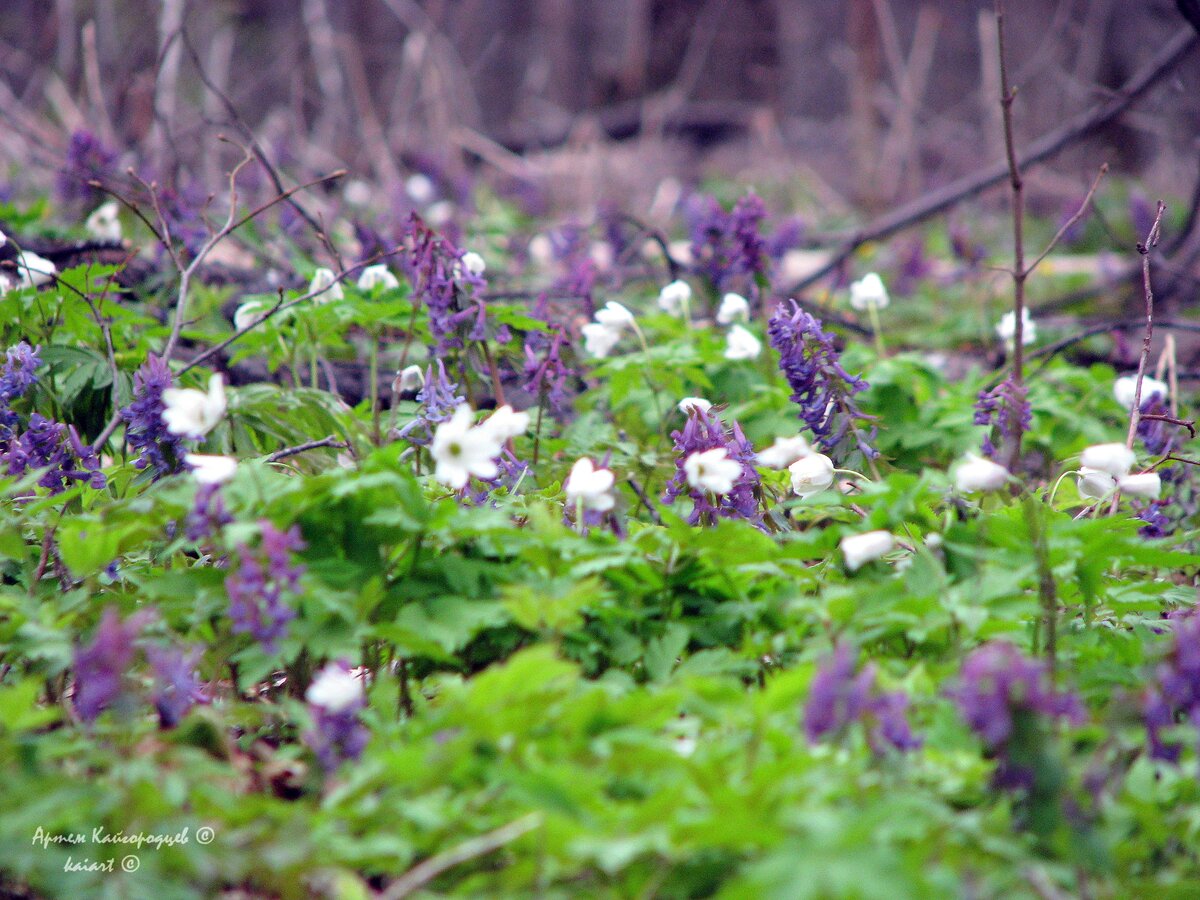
[706, 431]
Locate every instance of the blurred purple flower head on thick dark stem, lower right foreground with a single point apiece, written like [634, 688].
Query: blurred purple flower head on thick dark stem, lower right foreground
[1004, 695]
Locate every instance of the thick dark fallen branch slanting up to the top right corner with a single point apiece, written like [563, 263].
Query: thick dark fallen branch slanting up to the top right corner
[1082, 127]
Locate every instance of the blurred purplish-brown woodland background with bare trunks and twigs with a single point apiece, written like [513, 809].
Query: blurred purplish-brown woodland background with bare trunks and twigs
[571, 103]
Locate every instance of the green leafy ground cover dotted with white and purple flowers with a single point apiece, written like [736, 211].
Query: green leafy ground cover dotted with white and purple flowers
[623, 577]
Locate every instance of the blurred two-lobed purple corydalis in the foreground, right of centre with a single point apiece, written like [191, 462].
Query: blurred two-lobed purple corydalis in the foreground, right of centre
[843, 694]
